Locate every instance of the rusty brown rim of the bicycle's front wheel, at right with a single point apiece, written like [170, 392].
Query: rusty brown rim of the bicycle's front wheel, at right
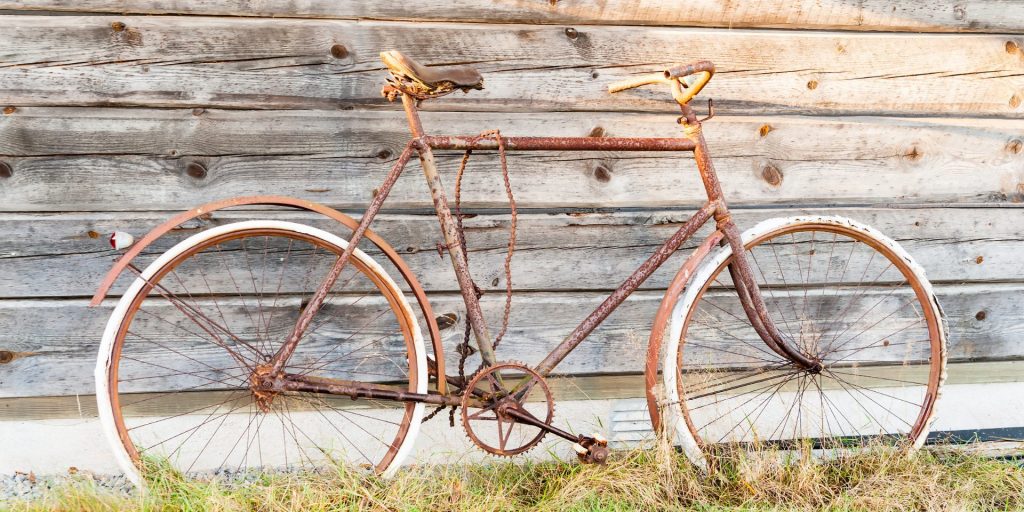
[930, 321]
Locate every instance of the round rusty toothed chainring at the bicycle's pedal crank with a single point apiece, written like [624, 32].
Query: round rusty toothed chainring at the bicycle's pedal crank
[489, 398]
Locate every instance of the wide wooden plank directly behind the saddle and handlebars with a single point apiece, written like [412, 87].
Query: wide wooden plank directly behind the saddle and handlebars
[291, 64]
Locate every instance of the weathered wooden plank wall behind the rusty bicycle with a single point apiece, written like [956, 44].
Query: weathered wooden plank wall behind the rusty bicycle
[905, 115]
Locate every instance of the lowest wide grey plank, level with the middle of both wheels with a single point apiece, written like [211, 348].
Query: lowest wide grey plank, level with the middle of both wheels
[58, 356]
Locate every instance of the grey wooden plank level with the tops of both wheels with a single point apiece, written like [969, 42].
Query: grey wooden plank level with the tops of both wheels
[54, 255]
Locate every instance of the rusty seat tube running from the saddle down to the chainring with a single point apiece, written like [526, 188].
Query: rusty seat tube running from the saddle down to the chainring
[453, 238]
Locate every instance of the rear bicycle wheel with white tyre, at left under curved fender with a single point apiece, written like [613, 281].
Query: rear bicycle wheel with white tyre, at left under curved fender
[176, 372]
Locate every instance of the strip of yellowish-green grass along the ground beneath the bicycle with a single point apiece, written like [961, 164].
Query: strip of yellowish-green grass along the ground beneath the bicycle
[652, 480]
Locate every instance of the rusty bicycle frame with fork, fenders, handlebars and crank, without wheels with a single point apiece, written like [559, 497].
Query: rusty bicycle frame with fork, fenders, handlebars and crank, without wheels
[423, 145]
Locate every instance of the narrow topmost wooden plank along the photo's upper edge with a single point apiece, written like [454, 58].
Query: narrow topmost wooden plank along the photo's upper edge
[945, 16]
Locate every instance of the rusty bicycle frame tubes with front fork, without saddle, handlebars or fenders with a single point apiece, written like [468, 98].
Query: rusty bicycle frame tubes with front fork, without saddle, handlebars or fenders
[424, 146]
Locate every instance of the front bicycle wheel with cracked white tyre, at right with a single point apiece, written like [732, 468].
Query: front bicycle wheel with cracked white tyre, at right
[841, 293]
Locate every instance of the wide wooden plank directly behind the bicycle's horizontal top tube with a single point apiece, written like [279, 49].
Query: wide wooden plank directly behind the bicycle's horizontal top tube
[129, 159]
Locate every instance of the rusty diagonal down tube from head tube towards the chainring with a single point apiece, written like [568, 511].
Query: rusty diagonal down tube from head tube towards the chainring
[626, 289]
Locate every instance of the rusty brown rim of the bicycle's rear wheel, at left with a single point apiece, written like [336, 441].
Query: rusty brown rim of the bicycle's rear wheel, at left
[394, 302]
